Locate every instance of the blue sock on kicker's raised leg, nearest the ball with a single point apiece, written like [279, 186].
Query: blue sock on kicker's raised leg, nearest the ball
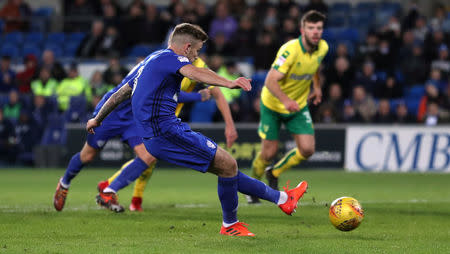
[253, 187]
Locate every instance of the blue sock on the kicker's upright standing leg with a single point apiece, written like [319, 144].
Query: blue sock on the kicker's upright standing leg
[227, 190]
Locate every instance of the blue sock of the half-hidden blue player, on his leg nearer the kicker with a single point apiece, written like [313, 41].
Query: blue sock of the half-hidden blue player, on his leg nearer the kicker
[129, 174]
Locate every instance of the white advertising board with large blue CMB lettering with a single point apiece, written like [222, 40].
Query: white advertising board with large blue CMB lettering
[427, 151]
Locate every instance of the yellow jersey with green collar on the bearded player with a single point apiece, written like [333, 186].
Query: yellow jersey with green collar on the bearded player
[298, 67]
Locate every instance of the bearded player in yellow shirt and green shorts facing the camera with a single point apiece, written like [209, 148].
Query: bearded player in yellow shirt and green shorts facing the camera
[284, 100]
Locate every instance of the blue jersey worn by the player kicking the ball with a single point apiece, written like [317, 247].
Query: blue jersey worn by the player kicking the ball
[156, 87]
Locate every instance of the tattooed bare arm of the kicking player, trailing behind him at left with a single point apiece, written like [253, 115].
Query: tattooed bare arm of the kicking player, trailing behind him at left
[116, 98]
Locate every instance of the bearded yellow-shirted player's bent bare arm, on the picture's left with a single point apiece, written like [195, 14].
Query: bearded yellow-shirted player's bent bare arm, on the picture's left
[274, 87]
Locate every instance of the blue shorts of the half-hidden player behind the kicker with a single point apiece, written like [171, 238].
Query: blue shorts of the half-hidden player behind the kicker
[111, 128]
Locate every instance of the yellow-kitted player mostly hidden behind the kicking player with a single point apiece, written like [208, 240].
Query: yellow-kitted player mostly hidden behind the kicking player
[187, 85]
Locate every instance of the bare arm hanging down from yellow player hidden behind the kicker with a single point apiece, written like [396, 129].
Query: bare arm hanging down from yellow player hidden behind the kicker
[230, 130]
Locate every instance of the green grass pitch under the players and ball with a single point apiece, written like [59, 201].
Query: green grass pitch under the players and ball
[404, 213]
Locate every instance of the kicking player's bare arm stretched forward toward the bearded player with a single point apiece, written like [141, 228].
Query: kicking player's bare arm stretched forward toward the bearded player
[209, 77]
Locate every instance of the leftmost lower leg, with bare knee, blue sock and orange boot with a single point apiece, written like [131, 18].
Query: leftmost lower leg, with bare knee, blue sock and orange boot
[76, 163]
